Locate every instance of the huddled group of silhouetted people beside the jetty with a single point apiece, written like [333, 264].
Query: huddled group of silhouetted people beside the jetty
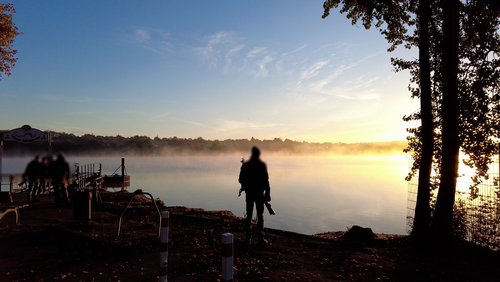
[42, 173]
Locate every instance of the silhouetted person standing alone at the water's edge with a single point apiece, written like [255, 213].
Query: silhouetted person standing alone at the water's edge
[254, 181]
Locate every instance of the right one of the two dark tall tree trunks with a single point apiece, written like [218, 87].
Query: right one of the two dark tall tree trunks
[442, 222]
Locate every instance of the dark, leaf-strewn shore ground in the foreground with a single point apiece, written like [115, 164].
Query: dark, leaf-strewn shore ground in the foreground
[50, 245]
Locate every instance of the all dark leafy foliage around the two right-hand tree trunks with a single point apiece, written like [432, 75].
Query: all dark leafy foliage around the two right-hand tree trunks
[478, 76]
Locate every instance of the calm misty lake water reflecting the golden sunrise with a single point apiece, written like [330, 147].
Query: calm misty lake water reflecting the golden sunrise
[310, 194]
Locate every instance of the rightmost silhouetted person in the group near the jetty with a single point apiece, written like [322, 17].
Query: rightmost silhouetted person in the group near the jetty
[59, 170]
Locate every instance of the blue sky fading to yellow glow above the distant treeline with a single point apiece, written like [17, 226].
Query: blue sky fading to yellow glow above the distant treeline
[219, 69]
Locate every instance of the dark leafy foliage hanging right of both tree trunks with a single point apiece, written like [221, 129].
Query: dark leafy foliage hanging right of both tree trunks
[479, 85]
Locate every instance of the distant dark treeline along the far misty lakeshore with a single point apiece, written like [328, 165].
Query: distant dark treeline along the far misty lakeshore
[89, 144]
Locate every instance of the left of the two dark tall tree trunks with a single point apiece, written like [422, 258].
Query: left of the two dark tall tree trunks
[421, 221]
